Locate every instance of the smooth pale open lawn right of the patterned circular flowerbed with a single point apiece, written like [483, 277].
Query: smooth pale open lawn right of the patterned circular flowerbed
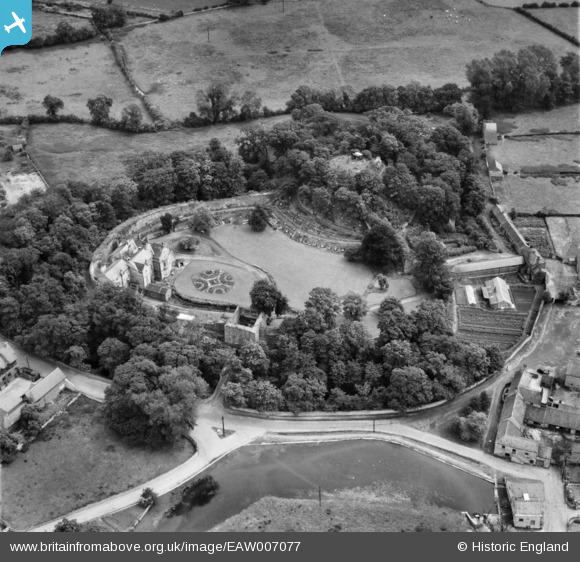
[296, 268]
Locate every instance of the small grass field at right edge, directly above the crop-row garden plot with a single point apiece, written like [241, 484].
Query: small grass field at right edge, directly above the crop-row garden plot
[530, 195]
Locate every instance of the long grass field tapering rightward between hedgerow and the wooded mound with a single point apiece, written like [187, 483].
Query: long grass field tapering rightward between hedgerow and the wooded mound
[86, 153]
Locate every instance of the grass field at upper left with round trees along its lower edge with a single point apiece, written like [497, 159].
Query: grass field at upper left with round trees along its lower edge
[74, 74]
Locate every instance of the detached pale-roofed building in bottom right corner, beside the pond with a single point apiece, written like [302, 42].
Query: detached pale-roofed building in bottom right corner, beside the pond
[527, 499]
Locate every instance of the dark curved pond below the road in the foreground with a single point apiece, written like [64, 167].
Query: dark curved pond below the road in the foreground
[297, 470]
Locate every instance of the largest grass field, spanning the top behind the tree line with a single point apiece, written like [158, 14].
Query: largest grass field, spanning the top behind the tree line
[322, 43]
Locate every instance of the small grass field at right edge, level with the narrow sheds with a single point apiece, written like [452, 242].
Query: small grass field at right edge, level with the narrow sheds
[518, 154]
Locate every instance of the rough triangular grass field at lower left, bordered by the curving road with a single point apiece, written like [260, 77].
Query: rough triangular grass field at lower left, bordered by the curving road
[74, 462]
